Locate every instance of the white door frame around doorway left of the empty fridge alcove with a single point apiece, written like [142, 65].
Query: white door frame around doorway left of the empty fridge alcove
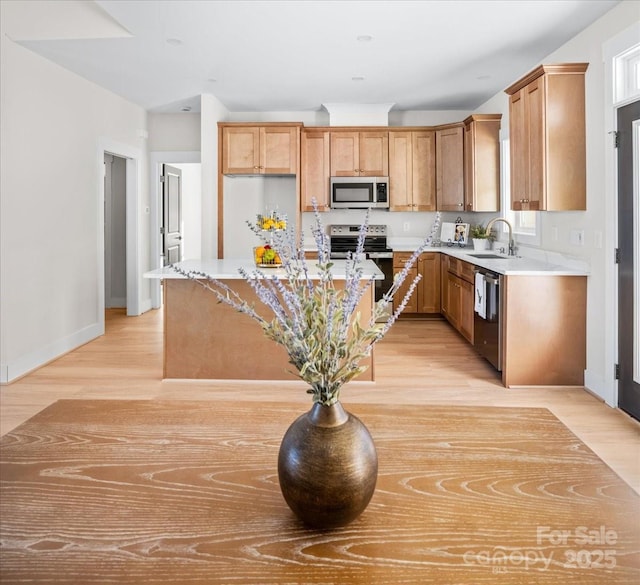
[156, 160]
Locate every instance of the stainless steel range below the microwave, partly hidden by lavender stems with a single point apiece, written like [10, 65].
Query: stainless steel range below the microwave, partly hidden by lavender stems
[344, 239]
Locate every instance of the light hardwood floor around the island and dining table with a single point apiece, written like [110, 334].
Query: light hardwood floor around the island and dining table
[418, 362]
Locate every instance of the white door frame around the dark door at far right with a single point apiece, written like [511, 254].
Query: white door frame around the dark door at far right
[611, 49]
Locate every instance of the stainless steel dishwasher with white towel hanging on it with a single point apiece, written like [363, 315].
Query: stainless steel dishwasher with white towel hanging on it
[487, 332]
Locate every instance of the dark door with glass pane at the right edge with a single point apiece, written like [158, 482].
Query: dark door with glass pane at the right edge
[628, 273]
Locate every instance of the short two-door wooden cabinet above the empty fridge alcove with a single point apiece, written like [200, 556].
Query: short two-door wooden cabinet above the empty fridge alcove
[260, 149]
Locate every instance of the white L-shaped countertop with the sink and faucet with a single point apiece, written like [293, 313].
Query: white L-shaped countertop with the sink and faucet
[545, 264]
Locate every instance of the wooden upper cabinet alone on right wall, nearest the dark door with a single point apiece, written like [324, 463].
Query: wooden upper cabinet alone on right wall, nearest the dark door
[547, 139]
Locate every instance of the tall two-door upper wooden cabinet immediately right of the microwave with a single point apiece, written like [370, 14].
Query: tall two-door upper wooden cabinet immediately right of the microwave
[412, 166]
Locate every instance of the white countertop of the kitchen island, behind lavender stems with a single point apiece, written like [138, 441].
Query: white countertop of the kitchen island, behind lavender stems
[227, 269]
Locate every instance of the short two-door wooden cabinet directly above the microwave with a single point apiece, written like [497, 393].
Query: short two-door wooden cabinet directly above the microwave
[360, 154]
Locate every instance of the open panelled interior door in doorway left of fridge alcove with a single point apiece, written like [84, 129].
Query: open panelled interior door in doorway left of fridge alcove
[171, 214]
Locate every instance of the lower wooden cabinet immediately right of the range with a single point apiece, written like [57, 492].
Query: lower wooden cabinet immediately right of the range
[426, 297]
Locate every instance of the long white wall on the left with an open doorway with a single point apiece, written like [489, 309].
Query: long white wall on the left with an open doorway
[52, 123]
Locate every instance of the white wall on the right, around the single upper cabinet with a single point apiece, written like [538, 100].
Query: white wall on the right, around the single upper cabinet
[588, 47]
